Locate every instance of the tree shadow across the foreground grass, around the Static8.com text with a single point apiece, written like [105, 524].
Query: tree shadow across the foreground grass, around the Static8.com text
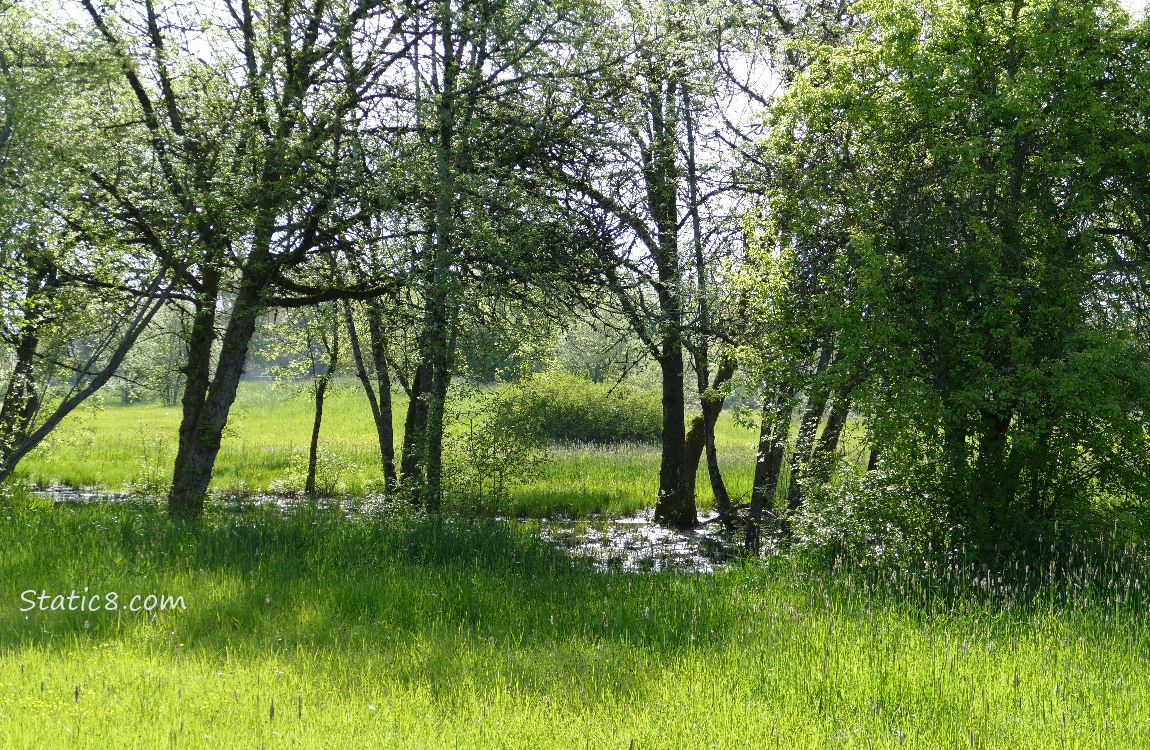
[436, 599]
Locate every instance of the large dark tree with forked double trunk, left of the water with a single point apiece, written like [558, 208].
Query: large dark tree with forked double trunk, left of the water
[247, 140]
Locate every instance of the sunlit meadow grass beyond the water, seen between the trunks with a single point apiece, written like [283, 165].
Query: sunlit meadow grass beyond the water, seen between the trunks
[120, 448]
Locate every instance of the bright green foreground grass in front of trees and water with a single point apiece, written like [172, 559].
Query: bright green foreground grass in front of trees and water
[412, 633]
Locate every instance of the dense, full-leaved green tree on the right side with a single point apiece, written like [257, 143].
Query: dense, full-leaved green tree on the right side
[979, 163]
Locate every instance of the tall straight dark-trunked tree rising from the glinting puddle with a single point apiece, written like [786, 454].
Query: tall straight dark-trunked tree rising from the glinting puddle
[634, 178]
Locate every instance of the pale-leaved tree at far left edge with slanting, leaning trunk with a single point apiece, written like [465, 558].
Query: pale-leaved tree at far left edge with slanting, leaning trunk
[74, 300]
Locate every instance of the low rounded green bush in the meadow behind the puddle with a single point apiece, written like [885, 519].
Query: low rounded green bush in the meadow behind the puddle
[568, 409]
